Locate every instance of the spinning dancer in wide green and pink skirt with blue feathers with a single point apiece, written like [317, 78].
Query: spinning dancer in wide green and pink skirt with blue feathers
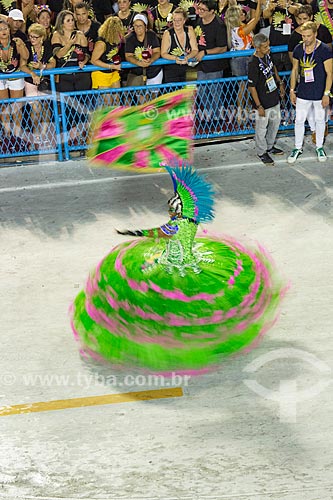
[173, 302]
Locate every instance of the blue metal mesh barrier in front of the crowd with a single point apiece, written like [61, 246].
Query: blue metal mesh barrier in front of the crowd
[58, 123]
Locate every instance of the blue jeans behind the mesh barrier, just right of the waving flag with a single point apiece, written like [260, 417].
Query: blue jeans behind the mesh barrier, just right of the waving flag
[209, 101]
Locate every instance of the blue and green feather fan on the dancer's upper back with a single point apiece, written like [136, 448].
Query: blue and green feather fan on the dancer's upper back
[195, 193]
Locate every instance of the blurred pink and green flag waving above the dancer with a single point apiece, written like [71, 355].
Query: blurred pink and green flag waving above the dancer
[140, 138]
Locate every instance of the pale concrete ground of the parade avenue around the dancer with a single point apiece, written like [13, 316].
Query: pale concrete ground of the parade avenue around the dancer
[259, 428]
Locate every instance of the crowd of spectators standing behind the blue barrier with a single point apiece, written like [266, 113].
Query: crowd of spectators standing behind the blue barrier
[35, 36]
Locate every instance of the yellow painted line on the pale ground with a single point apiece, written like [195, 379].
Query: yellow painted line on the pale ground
[107, 399]
